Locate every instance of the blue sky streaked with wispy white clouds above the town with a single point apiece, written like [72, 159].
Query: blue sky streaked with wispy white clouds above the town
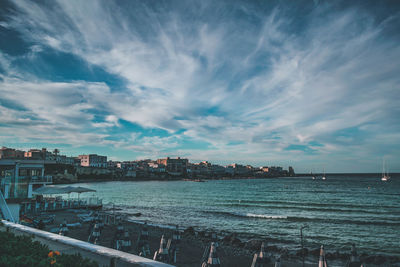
[310, 84]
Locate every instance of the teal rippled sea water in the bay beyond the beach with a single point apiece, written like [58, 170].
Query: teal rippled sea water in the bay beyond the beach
[342, 210]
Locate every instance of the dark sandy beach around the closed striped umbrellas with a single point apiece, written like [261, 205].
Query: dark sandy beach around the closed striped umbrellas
[232, 251]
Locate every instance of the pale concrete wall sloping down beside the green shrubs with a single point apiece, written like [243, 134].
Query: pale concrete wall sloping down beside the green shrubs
[104, 256]
